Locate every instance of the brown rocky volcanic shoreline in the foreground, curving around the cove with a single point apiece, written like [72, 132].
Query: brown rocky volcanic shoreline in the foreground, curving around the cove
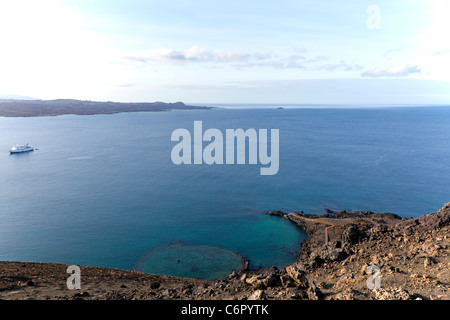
[411, 255]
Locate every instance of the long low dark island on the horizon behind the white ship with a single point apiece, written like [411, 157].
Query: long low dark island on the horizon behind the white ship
[39, 108]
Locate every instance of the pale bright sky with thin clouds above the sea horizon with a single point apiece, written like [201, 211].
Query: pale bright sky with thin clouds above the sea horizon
[218, 52]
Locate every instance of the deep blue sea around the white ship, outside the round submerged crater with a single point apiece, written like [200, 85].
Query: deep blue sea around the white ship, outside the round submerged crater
[102, 190]
